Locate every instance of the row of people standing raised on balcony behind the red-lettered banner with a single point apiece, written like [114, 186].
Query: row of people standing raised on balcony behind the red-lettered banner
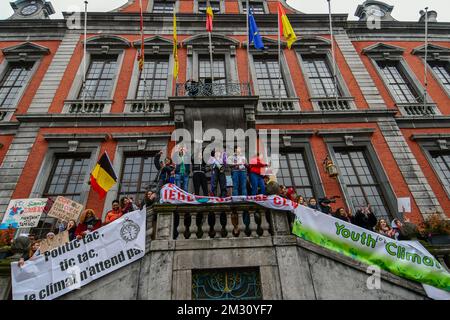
[246, 178]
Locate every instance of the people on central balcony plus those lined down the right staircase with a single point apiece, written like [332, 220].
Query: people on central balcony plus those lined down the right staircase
[249, 178]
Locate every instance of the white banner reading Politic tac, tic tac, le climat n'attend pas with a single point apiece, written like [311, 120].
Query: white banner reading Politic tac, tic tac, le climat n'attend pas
[80, 262]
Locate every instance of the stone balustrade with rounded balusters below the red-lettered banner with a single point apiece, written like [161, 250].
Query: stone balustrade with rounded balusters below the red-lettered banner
[214, 221]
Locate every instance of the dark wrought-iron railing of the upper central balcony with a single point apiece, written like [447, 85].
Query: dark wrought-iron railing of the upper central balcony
[199, 89]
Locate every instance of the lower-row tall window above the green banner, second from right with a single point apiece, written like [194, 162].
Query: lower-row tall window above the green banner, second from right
[361, 182]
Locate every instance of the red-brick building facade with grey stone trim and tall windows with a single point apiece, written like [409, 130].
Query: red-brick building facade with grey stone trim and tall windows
[388, 139]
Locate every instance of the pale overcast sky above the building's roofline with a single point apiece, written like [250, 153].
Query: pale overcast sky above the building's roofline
[405, 10]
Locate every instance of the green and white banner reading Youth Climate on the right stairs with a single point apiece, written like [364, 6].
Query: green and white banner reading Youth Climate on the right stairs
[397, 257]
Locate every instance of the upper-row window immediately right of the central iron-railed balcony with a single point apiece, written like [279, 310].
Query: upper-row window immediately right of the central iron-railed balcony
[268, 77]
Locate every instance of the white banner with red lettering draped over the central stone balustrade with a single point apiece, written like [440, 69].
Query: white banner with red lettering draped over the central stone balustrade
[170, 193]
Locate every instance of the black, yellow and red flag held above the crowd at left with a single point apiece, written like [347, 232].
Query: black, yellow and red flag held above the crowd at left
[103, 176]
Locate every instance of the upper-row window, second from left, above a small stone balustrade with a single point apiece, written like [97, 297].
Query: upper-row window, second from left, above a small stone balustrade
[99, 77]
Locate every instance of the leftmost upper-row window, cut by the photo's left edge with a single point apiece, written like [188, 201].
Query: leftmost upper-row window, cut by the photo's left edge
[15, 78]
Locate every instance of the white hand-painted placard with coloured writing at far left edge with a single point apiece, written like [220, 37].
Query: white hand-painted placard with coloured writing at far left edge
[24, 213]
